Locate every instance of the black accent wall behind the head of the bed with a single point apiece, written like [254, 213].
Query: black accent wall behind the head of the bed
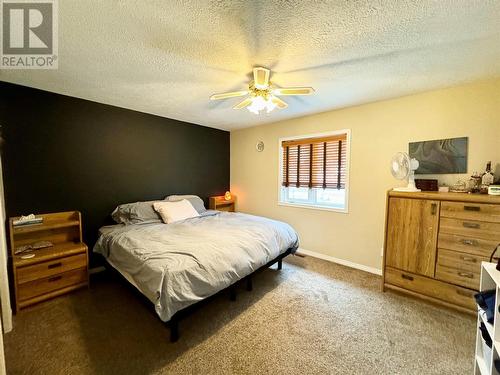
[62, 153]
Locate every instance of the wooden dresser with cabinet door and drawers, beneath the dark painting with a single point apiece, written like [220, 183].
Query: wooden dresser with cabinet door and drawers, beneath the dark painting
[435, 243]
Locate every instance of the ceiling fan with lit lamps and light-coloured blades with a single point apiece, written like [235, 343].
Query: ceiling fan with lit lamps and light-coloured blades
[262, 93]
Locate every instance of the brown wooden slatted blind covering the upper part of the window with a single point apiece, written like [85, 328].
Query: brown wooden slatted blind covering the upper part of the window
[315, 162]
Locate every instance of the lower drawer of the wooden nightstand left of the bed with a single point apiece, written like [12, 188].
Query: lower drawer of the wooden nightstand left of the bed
[38, 287]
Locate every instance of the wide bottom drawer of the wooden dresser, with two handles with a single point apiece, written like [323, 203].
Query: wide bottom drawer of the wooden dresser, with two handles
[432, 288]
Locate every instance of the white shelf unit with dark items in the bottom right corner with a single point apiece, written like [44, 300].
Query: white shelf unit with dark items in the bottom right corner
[490, 279]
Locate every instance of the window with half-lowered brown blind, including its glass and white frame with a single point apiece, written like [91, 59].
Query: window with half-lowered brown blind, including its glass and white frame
[314, 170]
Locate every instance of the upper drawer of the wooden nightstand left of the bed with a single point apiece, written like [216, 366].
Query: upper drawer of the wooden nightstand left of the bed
[50, 268]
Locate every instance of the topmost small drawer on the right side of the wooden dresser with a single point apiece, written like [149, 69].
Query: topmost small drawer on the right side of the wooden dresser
[471, 211]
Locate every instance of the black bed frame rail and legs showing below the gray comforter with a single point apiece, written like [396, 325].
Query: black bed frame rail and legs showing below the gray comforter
[173, 323]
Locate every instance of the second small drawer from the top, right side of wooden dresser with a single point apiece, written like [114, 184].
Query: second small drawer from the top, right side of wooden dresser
[470, 228]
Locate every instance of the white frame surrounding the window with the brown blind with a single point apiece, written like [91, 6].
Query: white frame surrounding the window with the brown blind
[345, 210]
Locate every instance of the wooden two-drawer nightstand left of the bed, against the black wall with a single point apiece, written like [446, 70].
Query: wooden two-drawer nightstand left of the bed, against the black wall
[53, 270]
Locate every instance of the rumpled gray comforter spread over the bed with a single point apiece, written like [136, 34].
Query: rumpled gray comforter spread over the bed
[178, 264]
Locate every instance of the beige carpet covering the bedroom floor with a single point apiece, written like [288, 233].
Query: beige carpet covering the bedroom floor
[313, 317]
